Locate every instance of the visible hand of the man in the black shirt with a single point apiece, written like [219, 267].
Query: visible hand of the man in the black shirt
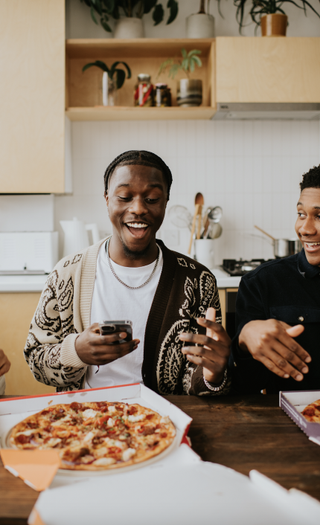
[272, 343]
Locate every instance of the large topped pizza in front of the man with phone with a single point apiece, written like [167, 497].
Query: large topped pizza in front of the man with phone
[95, 435]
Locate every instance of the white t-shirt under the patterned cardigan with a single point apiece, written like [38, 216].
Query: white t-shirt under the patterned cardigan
[113, 301]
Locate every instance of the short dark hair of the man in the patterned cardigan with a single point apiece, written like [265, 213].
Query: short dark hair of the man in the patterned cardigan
[139, 158]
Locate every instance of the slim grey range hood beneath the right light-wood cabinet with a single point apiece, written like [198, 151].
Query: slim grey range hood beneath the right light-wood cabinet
[267, 111]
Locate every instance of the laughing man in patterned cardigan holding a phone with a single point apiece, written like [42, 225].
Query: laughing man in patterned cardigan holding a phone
[178, 346]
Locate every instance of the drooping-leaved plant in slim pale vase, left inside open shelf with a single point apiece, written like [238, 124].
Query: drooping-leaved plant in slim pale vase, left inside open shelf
[112, 79]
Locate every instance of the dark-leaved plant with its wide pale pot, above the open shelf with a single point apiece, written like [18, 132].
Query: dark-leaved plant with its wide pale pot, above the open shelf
[128, 14]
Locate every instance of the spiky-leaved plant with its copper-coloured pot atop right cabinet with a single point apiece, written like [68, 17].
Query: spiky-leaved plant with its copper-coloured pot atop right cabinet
[268, 14]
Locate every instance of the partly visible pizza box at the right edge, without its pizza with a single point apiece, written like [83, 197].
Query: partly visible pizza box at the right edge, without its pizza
[293, 403]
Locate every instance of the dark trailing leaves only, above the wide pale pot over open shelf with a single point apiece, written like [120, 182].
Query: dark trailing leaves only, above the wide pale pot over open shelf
[107, 9]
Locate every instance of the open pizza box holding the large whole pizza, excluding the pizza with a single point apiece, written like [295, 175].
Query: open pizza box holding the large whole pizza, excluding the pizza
[14, 410]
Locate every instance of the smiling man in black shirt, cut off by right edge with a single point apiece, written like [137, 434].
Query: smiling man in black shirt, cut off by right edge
[278, 310]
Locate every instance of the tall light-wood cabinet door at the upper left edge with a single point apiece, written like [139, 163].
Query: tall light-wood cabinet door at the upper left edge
[32, 96]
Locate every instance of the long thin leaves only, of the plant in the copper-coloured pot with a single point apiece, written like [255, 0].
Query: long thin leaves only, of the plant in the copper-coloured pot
[266, 7]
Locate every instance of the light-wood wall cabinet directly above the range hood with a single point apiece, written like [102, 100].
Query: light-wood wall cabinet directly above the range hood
[267, 70]
